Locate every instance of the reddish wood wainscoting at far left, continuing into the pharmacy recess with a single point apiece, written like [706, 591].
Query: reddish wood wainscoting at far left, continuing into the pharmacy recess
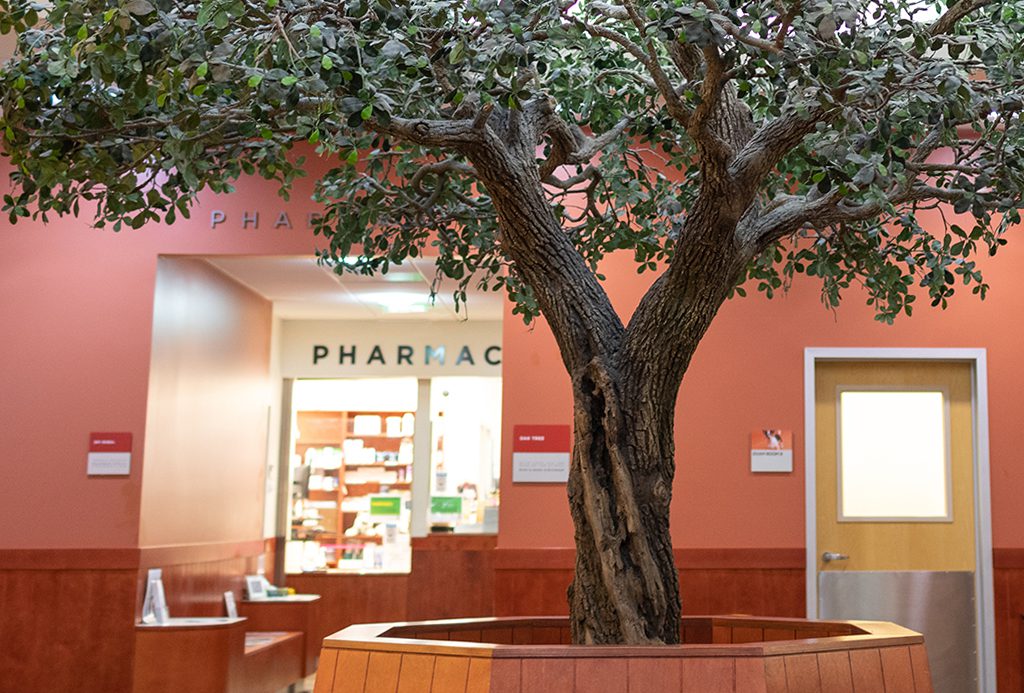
[68, 616]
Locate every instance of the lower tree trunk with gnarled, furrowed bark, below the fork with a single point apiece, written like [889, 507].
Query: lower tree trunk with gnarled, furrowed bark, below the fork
[626, 590]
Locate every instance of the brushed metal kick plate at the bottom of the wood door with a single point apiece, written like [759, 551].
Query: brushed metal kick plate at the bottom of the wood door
[940, 605]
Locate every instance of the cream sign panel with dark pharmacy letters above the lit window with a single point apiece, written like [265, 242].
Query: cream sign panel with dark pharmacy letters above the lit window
[351, 349]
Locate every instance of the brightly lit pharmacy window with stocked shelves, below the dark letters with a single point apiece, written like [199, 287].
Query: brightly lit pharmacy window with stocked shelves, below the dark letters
[375, 462]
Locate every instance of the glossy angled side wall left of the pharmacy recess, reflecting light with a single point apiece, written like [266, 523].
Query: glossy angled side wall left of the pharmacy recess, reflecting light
[208, 409]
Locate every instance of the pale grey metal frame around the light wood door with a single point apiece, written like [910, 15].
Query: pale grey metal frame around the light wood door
[985, 604]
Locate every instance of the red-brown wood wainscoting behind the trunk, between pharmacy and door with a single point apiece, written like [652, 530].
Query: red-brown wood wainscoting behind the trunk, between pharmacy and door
[761, 582]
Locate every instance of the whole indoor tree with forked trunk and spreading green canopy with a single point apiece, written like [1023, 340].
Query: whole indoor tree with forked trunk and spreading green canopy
[723, 143]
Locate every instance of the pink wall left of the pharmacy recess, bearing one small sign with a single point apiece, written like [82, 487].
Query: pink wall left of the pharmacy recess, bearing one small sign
[76, 306]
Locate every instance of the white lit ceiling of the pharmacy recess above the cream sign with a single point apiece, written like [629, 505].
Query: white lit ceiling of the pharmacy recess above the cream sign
[302, 289]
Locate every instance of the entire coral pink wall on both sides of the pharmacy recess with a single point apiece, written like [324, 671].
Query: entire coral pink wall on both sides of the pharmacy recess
[77, 310]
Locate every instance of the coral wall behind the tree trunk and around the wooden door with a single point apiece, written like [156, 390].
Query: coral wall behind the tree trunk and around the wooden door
[748, 374]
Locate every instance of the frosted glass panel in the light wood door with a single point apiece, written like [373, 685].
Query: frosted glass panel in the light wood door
[893, 456]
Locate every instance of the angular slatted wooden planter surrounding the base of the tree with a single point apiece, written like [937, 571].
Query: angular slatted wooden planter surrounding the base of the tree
[720, 655]
